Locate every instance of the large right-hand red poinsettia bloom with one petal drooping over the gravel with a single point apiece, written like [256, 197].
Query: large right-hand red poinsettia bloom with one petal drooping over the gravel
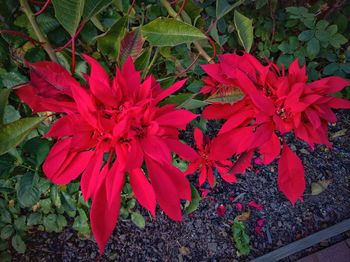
[273, 101]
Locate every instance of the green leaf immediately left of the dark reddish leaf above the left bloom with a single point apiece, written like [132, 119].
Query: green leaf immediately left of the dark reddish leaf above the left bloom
[109, 42]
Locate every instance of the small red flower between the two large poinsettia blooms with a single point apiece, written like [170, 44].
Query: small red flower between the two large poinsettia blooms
[205, 160]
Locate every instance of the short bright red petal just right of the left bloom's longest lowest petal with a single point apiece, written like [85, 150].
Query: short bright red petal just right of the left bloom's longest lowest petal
[143, 190]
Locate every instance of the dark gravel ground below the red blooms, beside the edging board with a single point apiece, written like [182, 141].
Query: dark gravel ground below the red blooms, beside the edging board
[205, 236]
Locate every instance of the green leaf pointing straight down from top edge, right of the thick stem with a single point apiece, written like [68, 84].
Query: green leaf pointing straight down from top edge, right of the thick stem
[68, 13]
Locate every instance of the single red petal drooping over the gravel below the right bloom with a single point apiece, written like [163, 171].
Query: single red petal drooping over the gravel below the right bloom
[291, 178]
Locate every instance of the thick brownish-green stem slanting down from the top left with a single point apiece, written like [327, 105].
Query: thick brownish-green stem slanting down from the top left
[41, 37]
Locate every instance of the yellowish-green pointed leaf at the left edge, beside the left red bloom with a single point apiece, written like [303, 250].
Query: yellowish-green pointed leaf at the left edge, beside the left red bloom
[14, 133]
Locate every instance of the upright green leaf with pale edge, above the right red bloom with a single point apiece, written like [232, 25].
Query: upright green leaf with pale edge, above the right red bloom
[244, 27]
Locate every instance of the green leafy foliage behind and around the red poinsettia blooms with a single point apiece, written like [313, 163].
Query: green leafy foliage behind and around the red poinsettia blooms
[160, 42]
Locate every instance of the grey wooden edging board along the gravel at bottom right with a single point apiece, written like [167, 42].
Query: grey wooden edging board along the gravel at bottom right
[304, 243]
